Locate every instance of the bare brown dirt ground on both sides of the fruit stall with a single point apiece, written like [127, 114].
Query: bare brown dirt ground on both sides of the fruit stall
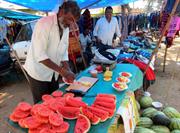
[14, 88]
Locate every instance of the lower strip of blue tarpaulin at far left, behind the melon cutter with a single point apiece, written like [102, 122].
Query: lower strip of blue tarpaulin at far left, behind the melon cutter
[17, 15]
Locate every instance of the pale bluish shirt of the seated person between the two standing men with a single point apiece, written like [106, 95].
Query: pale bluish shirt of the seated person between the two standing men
[84, 40]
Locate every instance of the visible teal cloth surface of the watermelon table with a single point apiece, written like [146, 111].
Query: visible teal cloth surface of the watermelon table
[102, 86]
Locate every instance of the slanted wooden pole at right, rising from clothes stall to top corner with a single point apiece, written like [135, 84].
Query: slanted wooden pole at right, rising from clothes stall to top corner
[162, 35]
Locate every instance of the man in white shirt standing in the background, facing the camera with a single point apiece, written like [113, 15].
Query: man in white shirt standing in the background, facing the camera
[106, 27]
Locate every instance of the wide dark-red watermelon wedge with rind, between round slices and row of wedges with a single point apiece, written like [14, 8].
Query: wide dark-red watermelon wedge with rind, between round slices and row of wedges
[69, 112]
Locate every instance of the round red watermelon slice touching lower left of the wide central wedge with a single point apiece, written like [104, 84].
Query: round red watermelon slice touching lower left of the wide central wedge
[55, 119]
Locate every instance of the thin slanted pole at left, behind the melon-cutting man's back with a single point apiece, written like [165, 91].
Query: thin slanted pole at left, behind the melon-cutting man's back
[17, 58]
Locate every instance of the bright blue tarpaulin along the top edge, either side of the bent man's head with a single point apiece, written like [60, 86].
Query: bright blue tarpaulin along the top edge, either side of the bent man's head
[49, 5]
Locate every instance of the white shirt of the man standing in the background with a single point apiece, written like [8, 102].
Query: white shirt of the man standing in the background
[105, 30]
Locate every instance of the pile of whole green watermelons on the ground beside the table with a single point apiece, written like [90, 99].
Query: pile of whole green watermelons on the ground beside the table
[161, 120]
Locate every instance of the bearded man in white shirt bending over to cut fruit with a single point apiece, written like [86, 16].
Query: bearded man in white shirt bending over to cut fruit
[48, 54]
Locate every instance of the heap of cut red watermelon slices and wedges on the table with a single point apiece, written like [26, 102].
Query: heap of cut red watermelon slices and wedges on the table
[50, 115]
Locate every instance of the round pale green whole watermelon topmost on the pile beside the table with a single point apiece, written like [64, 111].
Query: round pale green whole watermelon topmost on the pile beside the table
[145, 101]
